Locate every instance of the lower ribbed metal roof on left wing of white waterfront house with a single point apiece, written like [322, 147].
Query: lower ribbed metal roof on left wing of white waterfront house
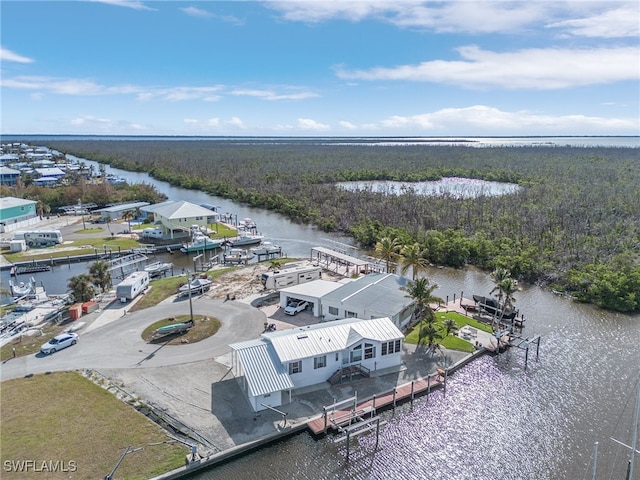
[261, 367]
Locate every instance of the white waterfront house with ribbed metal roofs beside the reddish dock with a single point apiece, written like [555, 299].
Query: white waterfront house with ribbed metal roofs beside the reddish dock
[270, 368]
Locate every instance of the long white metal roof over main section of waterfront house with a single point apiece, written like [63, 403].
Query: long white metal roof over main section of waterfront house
[323, 338]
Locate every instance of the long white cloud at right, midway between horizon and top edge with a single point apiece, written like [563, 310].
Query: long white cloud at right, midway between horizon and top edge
[536, 68]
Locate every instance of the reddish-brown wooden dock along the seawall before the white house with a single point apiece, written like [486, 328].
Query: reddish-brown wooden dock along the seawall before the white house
[339, 418]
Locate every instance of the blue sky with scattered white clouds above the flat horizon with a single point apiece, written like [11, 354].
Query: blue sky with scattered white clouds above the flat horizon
[328, 68]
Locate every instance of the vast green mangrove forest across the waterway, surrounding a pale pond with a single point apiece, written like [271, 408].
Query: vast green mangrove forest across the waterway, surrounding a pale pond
[573, 226]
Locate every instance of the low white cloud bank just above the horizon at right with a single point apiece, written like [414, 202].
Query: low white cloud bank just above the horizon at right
[482, 119]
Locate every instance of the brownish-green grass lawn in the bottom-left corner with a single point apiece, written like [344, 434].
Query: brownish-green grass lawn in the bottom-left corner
[65, 418]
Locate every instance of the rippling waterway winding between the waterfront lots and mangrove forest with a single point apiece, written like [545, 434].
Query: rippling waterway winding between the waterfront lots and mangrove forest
[498, 419]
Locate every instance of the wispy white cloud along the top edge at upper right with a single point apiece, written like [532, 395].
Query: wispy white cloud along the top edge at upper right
[600, 19]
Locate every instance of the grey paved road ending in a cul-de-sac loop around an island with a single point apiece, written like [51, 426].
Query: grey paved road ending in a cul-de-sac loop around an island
[118, 343]
